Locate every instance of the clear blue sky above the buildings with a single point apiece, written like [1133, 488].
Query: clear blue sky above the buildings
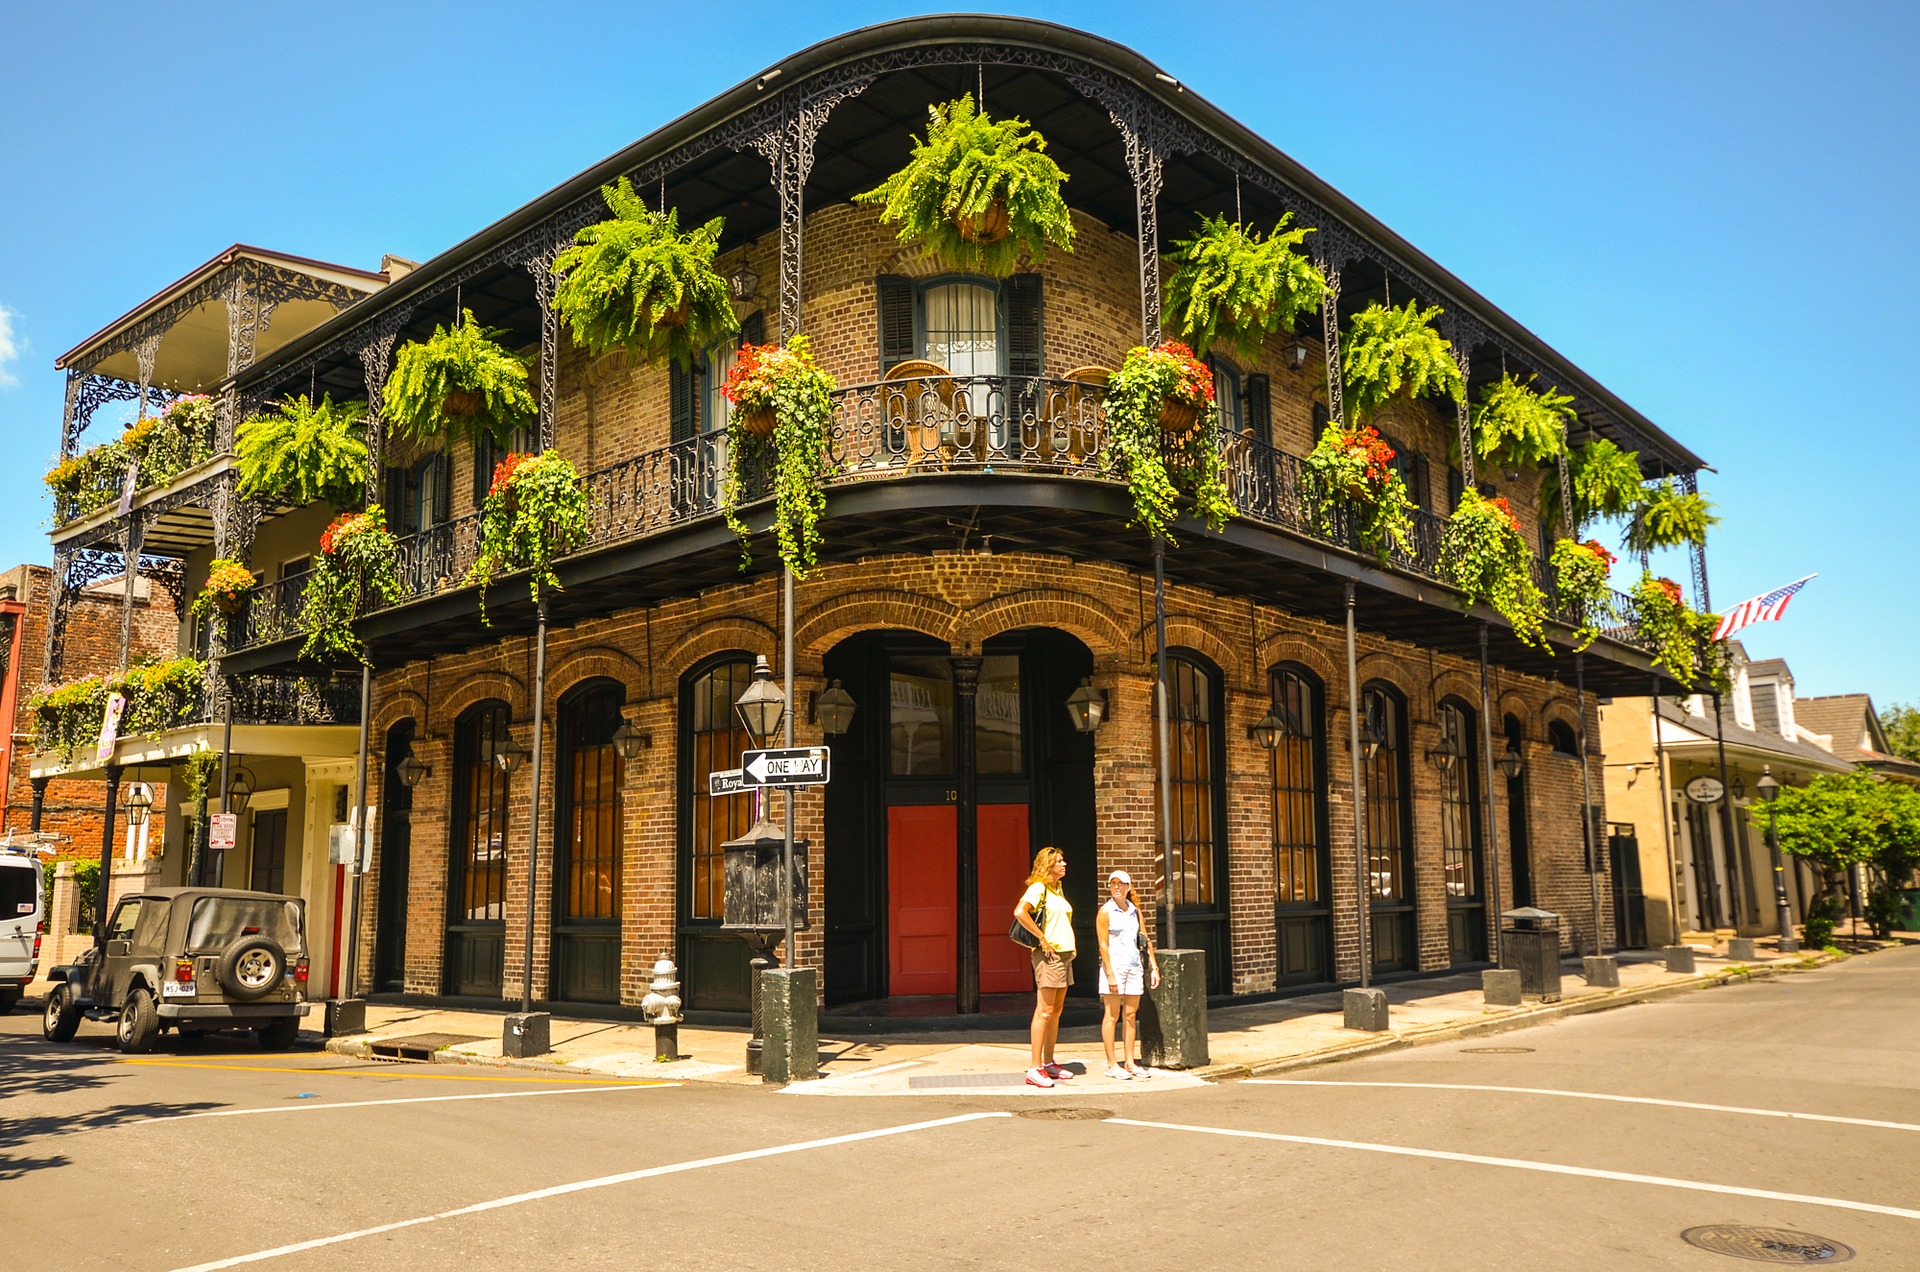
[1708, 207]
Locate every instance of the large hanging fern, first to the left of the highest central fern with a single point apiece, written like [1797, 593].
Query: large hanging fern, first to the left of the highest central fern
[635, 281]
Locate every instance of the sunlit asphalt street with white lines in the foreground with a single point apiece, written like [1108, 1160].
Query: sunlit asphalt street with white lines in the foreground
[1790, 1104]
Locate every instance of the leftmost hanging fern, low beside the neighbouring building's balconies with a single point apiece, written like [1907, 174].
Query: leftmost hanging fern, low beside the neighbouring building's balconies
[304, 453]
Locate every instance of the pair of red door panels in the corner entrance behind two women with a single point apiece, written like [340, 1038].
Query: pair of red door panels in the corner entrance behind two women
[923, 900]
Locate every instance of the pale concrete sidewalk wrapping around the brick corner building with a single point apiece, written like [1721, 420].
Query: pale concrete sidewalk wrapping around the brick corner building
[1243, 1040]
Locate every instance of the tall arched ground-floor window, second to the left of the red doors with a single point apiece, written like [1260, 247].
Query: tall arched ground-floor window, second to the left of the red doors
[587, 860]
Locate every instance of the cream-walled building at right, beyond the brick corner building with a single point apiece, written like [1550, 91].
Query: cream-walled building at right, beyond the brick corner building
[1716, 854]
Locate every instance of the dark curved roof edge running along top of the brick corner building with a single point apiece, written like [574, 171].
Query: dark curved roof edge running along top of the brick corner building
[944, 28]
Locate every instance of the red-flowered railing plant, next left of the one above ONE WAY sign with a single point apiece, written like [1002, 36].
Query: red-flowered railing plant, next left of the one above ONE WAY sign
[537, 512]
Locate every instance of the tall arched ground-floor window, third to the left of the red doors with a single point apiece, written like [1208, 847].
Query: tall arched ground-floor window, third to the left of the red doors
[477, 854]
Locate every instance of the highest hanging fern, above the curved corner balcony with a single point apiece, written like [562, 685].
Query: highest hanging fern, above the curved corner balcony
[976, 191]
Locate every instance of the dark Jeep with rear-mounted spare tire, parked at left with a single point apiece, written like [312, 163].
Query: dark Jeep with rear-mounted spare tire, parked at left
[193, 960]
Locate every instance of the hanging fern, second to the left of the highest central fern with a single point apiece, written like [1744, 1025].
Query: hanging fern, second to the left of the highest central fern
[460, 383]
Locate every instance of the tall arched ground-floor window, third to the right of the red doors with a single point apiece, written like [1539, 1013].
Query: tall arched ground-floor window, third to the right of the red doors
[1389, 829]
